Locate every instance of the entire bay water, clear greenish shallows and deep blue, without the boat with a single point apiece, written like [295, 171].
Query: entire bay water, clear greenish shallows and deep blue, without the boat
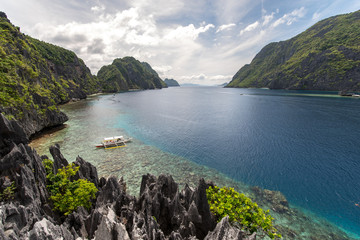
[303, 144]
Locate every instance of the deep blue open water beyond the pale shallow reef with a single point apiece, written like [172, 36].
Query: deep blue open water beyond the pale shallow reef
[304, 144]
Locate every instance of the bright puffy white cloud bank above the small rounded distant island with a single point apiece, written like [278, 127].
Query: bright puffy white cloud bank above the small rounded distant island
[124, 33]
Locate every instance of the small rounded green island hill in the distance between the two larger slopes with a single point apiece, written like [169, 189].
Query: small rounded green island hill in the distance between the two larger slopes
[128, 73]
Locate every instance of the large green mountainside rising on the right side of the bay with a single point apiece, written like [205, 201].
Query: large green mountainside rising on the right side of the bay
[324, 57]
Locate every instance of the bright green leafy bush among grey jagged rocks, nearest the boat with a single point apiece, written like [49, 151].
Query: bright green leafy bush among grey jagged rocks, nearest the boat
[68, 195]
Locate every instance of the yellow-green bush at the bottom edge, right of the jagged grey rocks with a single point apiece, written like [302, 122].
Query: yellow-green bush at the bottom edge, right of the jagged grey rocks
[241, 210]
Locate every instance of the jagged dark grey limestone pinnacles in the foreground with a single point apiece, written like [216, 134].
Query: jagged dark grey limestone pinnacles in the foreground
[160, 212]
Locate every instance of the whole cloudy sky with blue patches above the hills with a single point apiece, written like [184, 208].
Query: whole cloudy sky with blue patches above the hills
[192, 41]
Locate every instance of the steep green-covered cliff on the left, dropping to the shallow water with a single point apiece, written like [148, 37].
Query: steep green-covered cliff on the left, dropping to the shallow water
[36, 76]
